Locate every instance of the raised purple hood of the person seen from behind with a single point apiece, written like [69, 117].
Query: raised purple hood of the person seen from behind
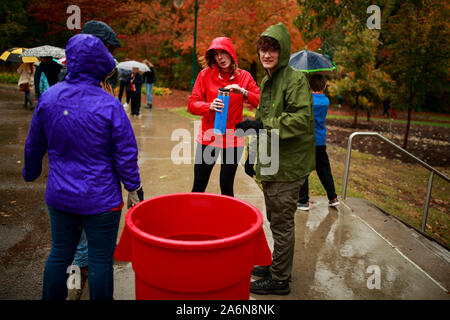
[87, 60]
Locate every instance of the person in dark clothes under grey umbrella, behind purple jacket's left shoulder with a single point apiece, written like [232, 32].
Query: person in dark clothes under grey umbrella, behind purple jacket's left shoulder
[46, 75]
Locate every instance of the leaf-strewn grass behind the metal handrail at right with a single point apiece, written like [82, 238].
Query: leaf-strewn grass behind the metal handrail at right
[396, 187]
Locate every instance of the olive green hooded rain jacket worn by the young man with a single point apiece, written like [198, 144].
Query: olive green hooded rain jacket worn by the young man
[285, 104]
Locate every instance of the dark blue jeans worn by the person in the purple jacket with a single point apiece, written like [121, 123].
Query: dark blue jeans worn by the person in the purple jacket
[101, 232]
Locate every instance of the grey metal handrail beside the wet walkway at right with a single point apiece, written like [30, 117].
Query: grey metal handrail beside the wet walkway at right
[432, 170]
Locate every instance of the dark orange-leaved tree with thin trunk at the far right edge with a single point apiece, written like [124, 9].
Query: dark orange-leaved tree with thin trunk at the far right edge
[417, 38]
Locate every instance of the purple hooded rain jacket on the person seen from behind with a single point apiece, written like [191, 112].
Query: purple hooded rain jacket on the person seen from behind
[87, 134]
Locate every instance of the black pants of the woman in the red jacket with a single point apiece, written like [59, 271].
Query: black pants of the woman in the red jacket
[206, 157]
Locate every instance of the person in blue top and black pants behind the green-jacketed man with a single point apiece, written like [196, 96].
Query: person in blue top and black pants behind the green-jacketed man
[318, 84]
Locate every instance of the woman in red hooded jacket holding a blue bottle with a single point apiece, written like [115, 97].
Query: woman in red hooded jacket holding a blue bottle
[220, 71]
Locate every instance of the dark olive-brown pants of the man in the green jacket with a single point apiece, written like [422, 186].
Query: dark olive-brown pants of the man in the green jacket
[281, 204]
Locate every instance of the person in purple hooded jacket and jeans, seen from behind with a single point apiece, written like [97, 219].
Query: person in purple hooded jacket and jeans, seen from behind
[91, 150]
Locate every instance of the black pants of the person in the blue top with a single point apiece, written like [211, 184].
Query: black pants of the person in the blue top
[323, 170]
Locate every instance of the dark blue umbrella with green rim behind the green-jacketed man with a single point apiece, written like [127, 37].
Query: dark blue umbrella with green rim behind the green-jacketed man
[308, 61]
